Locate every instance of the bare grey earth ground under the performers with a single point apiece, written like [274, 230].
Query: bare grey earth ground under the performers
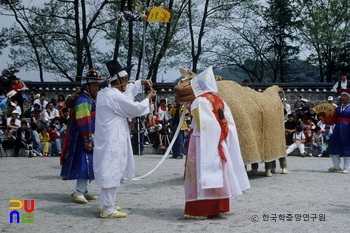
[310, 199]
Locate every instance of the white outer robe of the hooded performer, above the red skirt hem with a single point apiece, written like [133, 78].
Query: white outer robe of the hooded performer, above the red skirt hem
[207, 176]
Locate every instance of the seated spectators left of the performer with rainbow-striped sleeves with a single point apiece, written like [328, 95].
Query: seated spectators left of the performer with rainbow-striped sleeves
[45, 120]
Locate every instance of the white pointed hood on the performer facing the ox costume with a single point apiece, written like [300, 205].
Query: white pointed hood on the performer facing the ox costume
[204, 82]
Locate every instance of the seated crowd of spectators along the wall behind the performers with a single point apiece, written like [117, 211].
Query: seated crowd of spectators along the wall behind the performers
[48, 120]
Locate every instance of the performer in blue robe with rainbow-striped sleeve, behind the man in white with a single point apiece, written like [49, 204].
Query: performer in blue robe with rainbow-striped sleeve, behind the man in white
[76, 157]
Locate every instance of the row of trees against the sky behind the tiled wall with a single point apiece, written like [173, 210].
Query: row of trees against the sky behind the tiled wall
[261, 39]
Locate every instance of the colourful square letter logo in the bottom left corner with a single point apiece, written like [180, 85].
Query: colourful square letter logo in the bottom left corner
[15, 215]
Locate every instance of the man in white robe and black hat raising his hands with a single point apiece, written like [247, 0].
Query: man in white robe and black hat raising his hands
[113, 155]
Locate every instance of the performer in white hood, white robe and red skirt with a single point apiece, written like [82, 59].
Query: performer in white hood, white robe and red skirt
[214, 169]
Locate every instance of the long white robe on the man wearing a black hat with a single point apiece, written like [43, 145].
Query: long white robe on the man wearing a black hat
[113, 155]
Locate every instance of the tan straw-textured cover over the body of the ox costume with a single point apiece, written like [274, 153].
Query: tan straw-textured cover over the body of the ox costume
[259, 120]
